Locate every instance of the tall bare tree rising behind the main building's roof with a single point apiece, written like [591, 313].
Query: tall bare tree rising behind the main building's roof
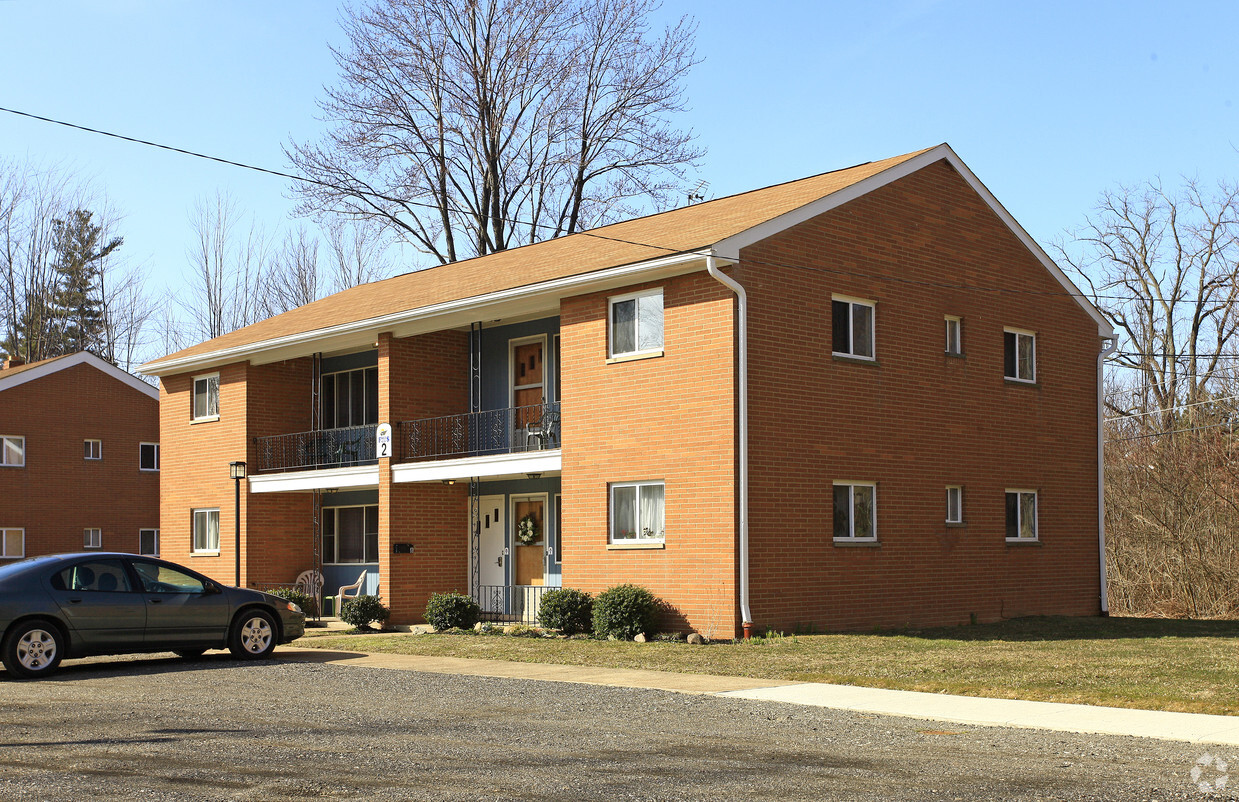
[455, 120]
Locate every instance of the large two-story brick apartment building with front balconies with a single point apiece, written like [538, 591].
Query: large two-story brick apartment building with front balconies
[922, 421]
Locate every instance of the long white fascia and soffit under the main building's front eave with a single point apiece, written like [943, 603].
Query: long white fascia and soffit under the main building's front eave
[434, 318]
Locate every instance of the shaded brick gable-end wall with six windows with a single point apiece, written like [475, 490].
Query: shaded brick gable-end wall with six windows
[917, 421]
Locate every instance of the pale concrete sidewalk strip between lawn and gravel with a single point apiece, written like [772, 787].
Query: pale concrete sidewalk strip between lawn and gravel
[1043, 716]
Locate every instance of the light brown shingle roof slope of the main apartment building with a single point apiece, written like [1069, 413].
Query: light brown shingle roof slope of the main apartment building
[680, 231]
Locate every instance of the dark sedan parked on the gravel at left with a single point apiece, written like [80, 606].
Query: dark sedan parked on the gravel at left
[75, 606]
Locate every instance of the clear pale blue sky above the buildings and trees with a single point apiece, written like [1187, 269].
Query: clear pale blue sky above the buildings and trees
[1050, 104]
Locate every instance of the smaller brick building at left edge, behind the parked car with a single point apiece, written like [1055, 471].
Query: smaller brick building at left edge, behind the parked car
[79, 459]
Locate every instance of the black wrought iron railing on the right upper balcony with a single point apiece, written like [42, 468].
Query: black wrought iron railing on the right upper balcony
[480, 434]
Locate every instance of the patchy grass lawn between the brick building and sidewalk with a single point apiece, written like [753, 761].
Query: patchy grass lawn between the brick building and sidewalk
[1153, 664]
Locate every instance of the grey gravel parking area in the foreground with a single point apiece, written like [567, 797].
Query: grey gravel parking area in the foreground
[219, 729]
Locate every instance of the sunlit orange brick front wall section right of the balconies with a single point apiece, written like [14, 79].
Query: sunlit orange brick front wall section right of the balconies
[668, 418]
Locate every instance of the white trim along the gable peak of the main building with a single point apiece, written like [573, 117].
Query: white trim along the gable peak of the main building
[730, 247]
